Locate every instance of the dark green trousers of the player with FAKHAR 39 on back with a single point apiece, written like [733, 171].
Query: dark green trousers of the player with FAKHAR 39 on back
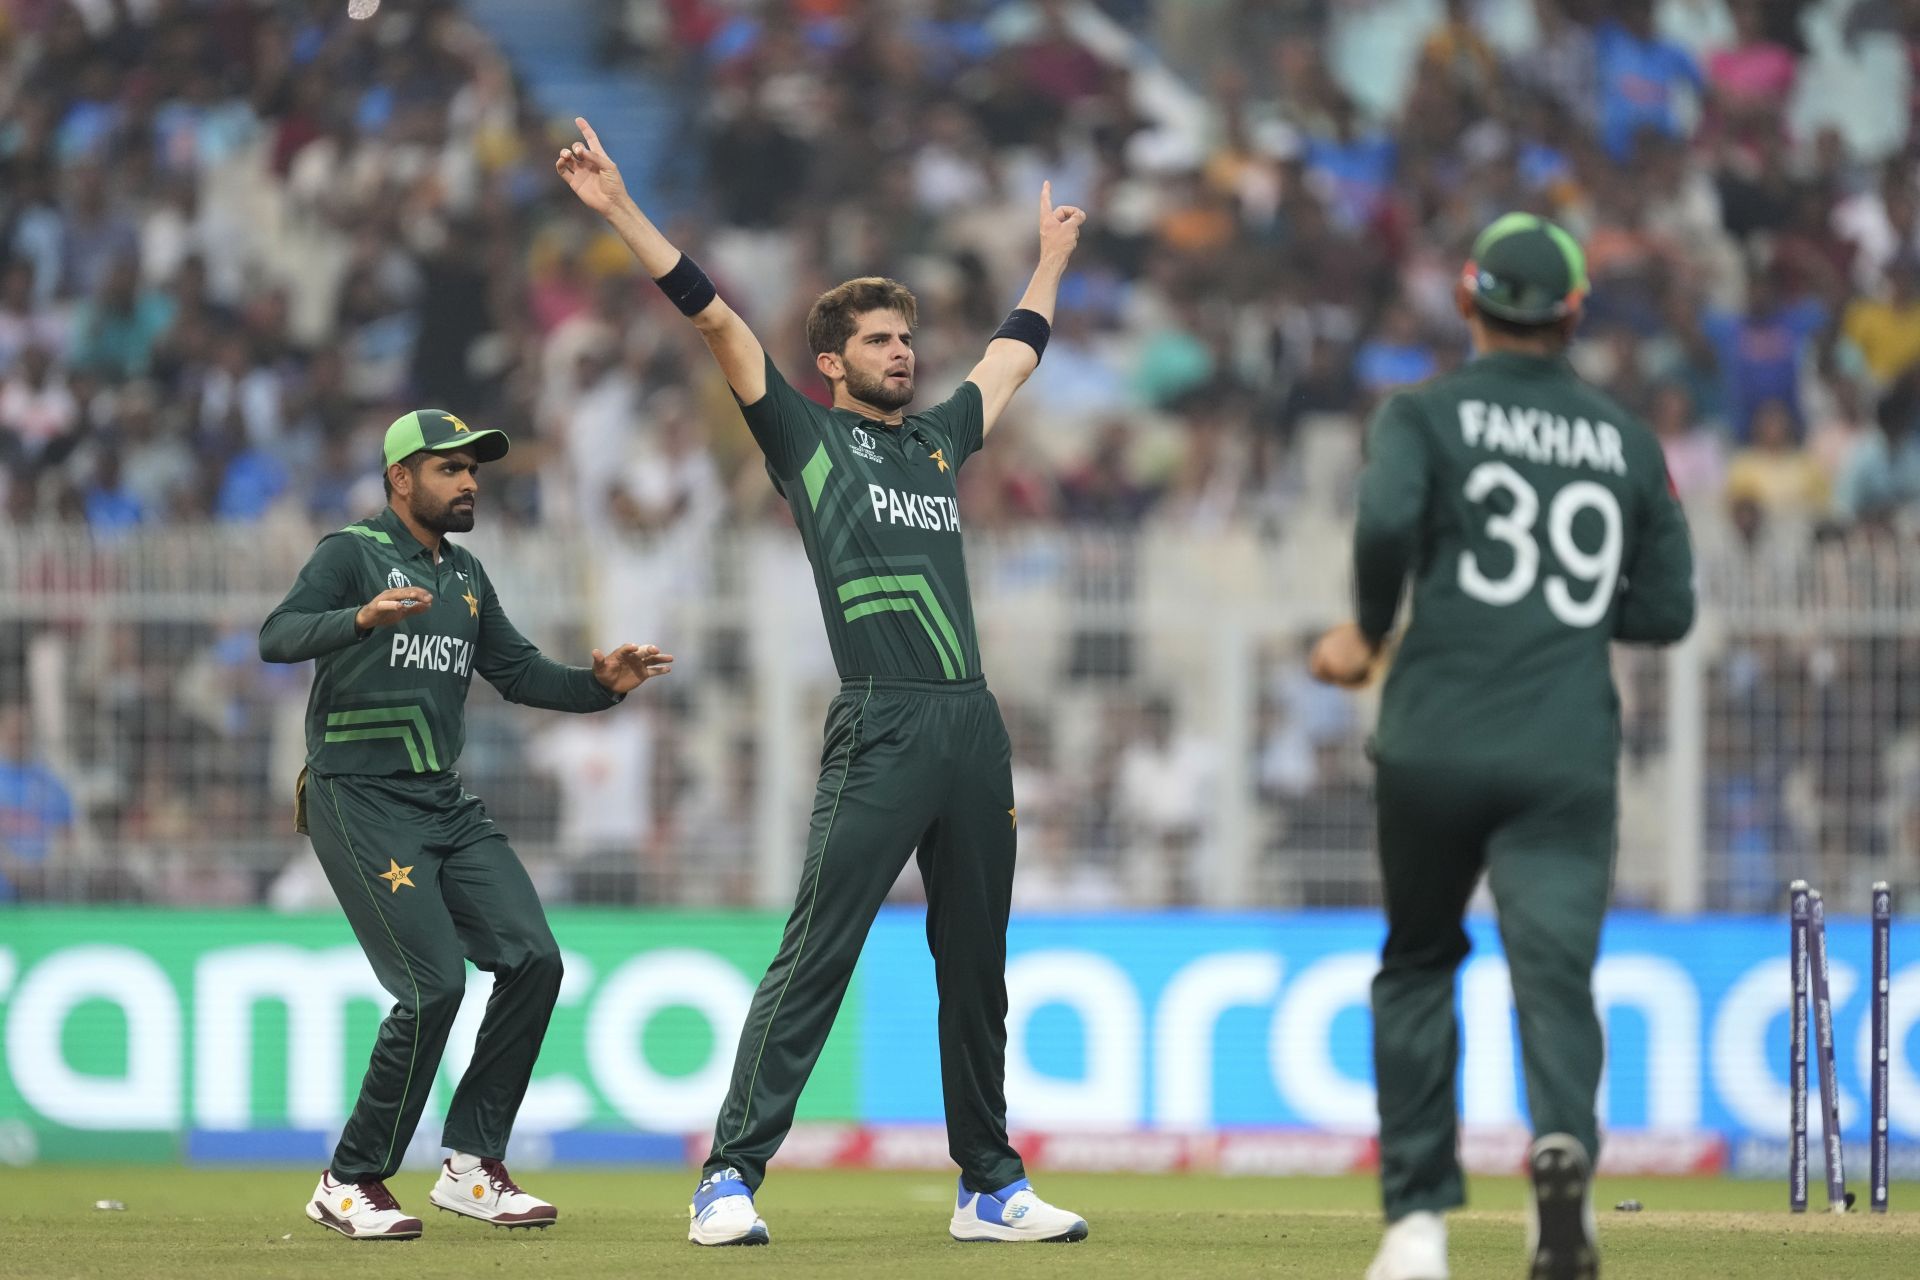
[1547, 845]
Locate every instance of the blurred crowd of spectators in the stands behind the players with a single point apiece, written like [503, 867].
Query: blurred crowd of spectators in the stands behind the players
[239, 237]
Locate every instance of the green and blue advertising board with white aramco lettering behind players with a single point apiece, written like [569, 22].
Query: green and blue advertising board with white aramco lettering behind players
[243, 1035]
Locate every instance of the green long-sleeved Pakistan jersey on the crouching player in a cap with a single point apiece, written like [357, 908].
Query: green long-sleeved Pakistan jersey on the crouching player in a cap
[395, 699]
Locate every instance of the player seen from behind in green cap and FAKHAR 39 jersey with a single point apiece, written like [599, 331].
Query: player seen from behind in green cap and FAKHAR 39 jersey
[1535, 519]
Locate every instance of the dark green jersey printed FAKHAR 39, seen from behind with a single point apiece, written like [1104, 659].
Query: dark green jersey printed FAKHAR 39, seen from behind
[1537, 523]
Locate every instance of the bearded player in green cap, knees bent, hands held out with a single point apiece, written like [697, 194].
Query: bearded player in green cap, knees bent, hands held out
[398, 621]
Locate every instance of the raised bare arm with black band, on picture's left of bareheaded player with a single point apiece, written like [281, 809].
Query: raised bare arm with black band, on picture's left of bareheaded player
[596, 179]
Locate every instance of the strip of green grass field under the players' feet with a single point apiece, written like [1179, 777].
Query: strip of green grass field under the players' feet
[251, 1223]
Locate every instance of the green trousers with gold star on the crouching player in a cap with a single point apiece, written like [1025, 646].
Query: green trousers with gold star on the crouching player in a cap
[429, 884]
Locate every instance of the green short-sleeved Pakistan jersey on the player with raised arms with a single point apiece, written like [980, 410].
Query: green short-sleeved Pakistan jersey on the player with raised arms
[880, 519]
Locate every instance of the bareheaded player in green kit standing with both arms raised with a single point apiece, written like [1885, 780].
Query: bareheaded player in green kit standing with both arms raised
[917, 755]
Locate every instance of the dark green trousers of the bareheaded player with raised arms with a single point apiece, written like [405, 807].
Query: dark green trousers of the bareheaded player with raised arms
[907, 765]
